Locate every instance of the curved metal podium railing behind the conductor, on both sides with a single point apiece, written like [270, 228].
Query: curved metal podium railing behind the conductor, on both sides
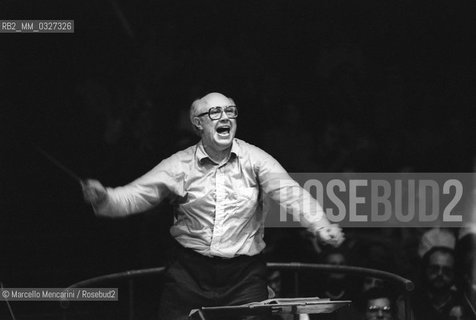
[404, 285]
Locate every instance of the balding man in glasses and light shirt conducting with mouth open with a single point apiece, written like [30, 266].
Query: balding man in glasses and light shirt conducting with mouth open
[217, 187]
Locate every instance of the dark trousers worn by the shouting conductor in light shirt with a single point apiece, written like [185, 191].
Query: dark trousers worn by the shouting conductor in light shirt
[192, 281]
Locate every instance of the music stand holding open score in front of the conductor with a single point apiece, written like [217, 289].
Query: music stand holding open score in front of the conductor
[270, 307]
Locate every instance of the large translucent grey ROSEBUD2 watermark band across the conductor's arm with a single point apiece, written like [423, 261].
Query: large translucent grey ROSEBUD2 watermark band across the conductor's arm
[375, 199]
